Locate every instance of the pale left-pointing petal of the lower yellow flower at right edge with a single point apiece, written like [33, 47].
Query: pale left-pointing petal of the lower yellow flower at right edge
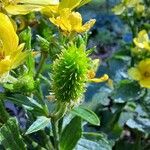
[134, 73]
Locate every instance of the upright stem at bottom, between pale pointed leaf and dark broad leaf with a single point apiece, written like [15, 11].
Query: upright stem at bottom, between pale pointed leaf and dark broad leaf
[55, 133]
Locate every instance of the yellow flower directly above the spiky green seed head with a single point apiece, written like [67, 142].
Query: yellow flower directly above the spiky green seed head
[67, 19]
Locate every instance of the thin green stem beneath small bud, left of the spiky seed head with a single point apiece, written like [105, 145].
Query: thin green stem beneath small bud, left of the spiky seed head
[42, 61]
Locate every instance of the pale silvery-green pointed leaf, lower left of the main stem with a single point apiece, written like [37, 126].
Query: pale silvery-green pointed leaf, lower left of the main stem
[39, 124]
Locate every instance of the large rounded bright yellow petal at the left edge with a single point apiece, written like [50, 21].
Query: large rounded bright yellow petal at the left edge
[8, 37]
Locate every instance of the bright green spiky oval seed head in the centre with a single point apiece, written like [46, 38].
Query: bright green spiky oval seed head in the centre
[70, 74]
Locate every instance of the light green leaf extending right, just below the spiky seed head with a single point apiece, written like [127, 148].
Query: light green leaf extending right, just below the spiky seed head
[87, 115]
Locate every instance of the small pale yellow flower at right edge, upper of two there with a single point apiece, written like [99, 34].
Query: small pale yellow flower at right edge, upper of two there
[142, 40]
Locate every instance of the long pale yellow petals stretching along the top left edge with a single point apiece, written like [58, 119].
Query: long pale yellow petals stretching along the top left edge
[22, 7]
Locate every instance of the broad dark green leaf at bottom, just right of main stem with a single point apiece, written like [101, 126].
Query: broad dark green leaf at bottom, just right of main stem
[71, 134]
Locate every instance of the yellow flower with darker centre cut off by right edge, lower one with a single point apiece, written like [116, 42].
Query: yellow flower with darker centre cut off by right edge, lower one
[141, 73]
